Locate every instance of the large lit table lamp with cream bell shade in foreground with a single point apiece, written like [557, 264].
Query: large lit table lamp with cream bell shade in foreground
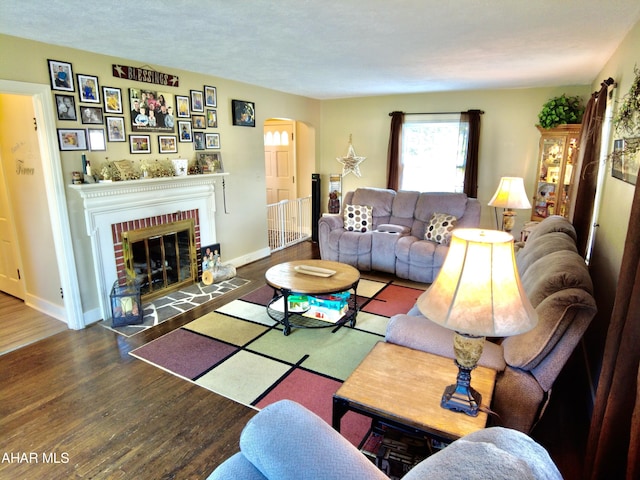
[477, 294]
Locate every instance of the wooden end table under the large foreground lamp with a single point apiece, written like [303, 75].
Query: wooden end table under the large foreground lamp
[403, 387]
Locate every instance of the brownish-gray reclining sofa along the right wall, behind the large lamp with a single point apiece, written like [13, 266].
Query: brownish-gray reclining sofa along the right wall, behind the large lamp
[559, 287]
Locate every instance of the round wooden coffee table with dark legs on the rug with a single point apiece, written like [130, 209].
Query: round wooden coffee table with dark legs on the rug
[311, 277]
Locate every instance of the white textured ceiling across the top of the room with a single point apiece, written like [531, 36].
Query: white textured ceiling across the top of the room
[343, 48]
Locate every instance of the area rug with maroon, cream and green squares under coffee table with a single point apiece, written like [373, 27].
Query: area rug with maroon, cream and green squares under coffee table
[240, 352]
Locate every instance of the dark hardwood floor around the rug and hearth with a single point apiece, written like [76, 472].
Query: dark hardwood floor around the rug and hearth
[76, 405]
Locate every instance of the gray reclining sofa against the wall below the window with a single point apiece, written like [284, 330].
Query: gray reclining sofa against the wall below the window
[395, 238]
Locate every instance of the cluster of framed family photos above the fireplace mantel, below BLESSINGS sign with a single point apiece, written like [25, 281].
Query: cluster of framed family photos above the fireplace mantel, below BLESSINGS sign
[152, 119]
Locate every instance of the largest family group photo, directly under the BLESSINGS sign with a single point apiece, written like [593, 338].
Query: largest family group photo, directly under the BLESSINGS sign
[151, 111]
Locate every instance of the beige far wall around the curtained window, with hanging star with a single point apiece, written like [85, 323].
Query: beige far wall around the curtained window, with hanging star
[508, 141]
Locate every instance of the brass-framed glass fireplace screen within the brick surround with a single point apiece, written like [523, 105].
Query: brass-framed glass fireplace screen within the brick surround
[162, 258]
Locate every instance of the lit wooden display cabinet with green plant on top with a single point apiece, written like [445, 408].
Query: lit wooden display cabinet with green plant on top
[555, 180]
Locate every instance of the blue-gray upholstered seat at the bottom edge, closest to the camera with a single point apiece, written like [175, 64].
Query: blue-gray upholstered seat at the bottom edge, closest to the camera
[285, 441]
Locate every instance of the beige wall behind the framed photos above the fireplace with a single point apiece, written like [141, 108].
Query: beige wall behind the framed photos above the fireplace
[241, 231]
